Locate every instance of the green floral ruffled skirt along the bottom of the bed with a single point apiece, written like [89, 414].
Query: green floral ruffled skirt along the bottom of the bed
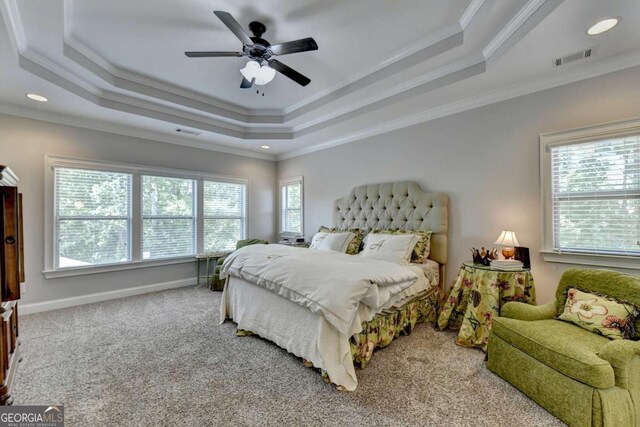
[380, 331]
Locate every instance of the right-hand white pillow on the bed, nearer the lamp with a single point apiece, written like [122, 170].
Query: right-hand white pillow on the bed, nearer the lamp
[390, 247]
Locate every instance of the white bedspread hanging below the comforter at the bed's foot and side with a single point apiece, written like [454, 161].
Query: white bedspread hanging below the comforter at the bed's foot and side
[303, 333]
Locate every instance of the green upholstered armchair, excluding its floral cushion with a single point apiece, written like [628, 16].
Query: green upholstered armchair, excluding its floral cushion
[583, 378]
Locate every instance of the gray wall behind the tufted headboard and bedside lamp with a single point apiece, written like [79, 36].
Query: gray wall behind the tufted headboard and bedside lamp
[485, 159]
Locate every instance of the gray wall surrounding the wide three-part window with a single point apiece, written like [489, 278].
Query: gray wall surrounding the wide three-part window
[23, 145]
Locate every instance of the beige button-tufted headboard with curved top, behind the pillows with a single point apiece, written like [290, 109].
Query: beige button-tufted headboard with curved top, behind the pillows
[401, 205]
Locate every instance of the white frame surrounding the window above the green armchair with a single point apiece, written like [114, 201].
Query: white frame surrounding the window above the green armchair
[577, 136]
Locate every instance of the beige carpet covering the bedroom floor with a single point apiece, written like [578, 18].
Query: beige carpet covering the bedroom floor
[161, 359]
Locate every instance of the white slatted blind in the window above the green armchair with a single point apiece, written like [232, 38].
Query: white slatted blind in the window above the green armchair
[596, 196]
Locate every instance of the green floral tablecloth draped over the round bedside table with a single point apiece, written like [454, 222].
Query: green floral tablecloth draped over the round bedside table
[475, 300]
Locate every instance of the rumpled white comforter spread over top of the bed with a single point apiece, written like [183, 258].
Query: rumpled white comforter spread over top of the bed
[330, 284]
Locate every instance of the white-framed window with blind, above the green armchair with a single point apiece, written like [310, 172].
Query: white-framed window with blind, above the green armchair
[591, 186]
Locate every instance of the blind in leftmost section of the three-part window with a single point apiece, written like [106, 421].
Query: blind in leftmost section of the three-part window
[92, 217]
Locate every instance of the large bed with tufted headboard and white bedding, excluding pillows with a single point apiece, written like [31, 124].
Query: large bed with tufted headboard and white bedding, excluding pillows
[309, 330]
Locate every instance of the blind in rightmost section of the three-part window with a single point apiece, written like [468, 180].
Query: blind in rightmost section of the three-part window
[224, 211]
